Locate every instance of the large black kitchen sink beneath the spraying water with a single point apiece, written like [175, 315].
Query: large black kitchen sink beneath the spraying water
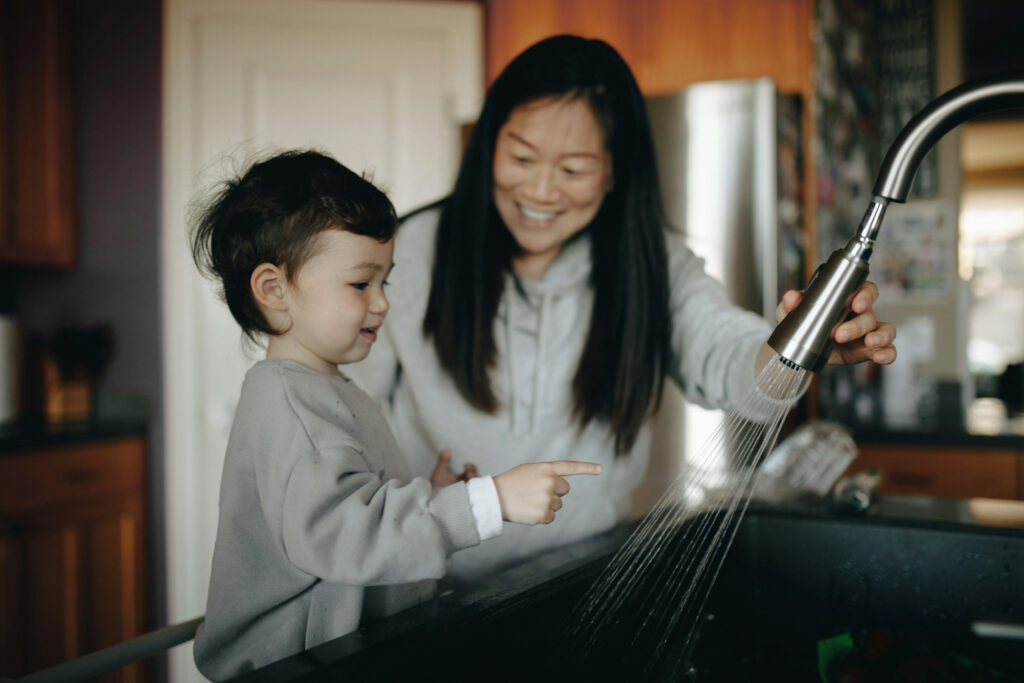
[793, 585]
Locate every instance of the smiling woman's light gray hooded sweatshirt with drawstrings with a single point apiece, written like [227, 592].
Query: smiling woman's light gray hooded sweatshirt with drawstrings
[540, 340]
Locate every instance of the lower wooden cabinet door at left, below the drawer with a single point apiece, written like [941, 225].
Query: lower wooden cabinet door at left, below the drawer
[72, 584]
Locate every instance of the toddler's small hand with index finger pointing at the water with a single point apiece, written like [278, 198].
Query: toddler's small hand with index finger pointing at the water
[532, 494]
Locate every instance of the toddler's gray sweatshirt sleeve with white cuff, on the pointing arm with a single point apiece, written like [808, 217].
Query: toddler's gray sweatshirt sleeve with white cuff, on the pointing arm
[343, 524]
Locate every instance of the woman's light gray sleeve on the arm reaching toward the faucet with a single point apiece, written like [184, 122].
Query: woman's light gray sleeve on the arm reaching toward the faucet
[714, 343]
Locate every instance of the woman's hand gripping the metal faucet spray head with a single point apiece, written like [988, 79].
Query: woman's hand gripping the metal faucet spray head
[859, 339]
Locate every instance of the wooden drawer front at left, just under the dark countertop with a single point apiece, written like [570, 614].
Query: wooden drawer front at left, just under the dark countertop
[38, 479]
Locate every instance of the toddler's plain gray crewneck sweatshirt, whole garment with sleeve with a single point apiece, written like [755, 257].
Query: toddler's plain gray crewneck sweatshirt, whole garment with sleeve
[321, 523]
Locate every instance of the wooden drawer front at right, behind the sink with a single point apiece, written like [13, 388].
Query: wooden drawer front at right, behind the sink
[945, 472]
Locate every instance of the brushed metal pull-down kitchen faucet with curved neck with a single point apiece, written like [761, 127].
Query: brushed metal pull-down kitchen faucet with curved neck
[804, 338]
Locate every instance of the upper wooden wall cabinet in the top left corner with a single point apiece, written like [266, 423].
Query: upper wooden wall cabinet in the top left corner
[38, 224]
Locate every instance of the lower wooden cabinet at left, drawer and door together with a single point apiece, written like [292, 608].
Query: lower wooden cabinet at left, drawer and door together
[72, 553]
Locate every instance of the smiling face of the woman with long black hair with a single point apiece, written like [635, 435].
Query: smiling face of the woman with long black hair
[551, 174]
